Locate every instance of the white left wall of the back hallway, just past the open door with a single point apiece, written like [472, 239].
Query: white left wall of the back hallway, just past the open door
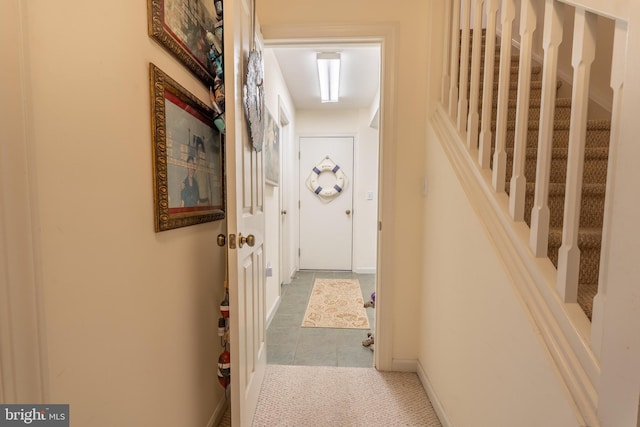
[277, 98]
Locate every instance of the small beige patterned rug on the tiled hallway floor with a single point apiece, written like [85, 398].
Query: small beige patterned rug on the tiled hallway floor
[336, 303]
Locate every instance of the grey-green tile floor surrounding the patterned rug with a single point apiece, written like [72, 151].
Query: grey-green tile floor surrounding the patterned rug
[290, 344]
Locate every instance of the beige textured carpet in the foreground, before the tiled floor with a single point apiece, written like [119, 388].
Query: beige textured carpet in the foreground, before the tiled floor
[332, 396]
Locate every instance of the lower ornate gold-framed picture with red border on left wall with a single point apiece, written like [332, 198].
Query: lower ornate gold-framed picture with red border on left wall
[188, 156]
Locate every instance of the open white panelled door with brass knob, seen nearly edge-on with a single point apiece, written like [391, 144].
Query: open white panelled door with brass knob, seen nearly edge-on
[245, 216]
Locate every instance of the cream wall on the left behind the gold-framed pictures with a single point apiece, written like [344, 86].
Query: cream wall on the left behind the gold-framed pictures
[129, 315]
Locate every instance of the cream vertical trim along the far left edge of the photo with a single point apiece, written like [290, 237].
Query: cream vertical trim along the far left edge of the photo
[23, 356]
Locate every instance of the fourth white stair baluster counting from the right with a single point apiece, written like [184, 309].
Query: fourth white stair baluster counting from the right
[518, 191]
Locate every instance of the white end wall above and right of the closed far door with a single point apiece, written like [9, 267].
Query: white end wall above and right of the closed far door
[353, 123]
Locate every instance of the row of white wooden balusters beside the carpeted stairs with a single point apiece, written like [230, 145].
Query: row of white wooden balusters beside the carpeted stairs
[460, 95]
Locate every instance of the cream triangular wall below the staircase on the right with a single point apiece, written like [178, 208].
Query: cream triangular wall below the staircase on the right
[478, 347]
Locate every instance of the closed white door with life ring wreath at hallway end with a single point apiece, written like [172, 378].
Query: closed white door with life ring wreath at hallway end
[326, 226]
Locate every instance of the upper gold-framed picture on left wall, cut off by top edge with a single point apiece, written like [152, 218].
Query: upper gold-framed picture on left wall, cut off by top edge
[192, 31]
